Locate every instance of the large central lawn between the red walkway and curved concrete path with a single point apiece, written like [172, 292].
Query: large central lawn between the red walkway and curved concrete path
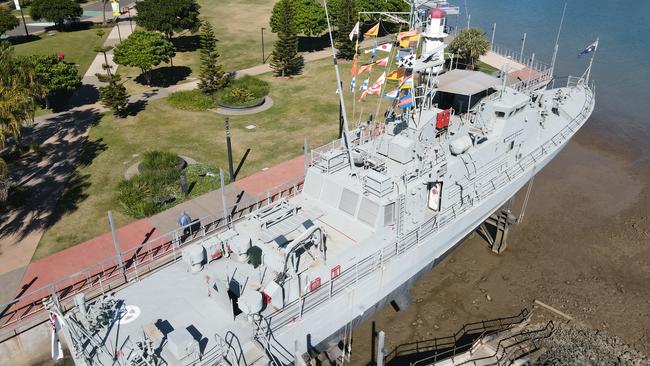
[305, 106]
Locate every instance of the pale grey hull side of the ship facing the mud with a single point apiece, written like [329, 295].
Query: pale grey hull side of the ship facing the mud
[397, 277]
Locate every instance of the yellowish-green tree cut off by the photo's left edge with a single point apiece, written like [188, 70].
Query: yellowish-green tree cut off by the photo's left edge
[19, 91]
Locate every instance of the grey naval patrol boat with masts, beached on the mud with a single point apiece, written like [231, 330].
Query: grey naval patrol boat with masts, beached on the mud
[379, 208]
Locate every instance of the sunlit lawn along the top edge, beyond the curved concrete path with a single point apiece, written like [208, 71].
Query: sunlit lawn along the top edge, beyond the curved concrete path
[237, 25]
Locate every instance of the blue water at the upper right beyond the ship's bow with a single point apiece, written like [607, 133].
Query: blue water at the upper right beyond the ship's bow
[621, 68]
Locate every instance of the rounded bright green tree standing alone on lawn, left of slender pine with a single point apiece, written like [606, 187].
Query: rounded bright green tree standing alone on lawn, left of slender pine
[144, 50]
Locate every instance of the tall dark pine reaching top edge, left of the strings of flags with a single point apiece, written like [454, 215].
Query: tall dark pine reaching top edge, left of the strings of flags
[285, 60]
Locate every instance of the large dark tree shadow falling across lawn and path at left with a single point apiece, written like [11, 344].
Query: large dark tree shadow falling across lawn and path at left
[49, 186]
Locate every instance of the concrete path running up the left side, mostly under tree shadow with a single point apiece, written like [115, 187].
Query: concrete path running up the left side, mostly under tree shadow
[62, 137]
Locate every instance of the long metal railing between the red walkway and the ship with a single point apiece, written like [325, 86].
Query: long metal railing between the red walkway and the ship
[27, 310]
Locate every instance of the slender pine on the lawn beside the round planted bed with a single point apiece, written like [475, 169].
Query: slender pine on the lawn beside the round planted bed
[211, 75]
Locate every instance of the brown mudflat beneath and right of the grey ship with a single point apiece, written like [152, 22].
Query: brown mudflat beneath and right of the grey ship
[583, 247]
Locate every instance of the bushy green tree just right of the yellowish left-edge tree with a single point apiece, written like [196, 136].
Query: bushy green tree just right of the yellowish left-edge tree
[56, 75]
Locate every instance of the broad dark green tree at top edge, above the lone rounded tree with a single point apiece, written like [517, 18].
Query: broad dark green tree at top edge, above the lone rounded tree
[168, 16]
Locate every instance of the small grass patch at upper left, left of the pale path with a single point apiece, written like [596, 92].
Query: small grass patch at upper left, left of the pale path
[77, 46]
